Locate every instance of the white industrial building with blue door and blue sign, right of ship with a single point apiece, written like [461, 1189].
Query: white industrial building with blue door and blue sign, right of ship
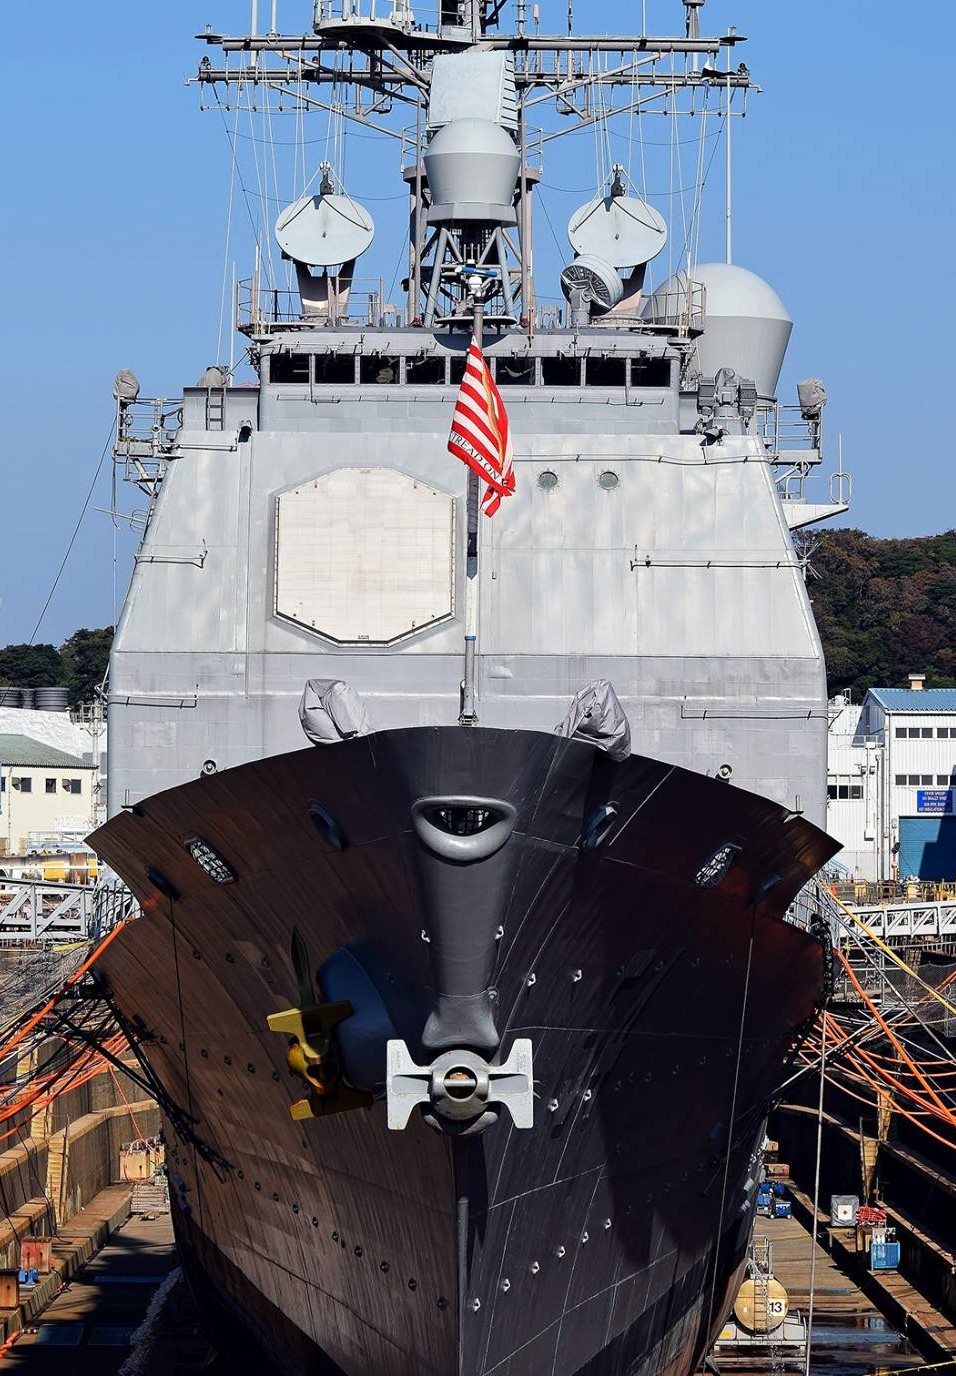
[892, 784]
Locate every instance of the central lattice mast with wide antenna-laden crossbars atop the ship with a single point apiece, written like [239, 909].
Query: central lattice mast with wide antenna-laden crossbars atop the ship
[361, 68]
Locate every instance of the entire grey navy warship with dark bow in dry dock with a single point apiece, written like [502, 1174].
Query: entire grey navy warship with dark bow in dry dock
[466, 1009]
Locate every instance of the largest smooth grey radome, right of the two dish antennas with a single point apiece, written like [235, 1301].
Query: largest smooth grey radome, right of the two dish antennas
[746, 325]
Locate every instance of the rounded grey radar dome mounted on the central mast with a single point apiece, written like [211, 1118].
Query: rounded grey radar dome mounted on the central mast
[472, 170]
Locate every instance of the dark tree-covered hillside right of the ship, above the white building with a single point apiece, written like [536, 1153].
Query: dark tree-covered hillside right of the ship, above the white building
[885, 609]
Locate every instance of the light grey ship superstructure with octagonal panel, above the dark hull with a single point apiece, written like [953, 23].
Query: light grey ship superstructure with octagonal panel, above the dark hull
[649, 541]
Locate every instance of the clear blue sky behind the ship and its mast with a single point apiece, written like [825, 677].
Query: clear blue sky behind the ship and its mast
[113, 243]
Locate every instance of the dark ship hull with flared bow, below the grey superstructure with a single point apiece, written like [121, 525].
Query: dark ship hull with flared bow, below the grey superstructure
[610, 1236]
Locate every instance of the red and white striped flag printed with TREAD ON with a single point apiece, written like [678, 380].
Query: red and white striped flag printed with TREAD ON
[481, 436]
